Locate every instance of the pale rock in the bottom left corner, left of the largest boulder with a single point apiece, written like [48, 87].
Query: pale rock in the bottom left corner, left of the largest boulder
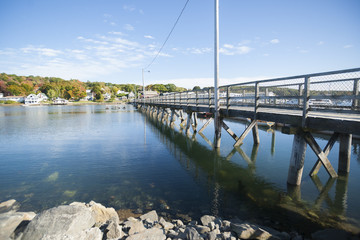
[10, 221]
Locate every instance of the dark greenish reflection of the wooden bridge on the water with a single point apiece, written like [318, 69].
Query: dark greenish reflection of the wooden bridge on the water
[236, 189]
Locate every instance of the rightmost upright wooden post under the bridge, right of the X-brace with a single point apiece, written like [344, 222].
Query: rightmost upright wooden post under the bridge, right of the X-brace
[344, 153]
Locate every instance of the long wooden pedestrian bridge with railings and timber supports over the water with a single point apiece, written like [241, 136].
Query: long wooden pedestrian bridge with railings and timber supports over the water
[326, 101]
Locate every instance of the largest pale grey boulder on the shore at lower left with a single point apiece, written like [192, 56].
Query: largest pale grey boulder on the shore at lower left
[62, 220]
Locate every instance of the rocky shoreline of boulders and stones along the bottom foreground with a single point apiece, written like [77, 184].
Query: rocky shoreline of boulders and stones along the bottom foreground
[93, 221]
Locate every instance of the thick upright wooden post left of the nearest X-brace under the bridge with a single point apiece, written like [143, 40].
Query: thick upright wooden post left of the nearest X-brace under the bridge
[297, 159]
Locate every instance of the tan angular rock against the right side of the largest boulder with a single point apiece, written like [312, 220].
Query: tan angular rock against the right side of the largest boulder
[103, 214]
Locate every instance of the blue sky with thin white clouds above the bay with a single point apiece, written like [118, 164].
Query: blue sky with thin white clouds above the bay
[112, 40]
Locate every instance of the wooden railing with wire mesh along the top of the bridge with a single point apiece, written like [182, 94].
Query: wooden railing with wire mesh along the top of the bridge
[336, 91]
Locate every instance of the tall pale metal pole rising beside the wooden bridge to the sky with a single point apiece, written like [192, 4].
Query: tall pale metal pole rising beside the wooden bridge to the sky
[216, 78]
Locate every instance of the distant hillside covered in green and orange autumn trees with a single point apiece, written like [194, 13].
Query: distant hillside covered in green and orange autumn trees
[13, 85]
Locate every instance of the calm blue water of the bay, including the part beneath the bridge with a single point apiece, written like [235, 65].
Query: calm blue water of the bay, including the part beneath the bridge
[52, 155]
